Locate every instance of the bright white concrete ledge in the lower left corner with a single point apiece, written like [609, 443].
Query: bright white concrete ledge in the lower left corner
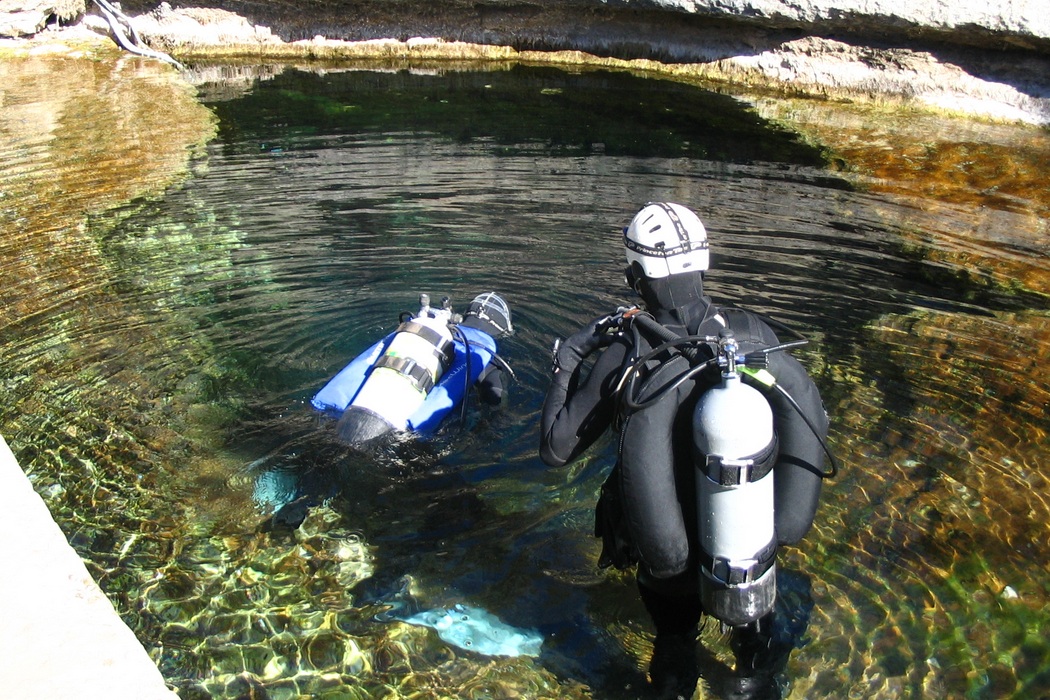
[62, 639]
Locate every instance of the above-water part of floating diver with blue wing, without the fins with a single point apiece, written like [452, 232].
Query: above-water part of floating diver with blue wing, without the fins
[416, 376]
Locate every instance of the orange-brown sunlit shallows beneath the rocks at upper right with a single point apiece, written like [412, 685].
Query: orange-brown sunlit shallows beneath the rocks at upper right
[976, 200]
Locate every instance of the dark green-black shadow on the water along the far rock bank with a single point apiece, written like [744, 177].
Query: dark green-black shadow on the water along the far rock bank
[561, 114]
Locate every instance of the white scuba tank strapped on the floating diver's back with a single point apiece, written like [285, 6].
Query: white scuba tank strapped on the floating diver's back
[418, 355]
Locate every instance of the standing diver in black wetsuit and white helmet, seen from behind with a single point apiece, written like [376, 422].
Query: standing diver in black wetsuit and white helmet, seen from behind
[722, 442]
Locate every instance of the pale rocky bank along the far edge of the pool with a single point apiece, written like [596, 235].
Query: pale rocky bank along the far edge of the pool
[998, 71]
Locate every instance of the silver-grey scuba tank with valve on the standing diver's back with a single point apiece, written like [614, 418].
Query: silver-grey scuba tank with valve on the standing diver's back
[736, 450]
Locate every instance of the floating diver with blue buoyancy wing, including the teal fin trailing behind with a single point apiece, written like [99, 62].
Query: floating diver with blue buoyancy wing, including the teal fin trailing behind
[405, 385]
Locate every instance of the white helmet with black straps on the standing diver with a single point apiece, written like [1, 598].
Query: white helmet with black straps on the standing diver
[666, 239]
